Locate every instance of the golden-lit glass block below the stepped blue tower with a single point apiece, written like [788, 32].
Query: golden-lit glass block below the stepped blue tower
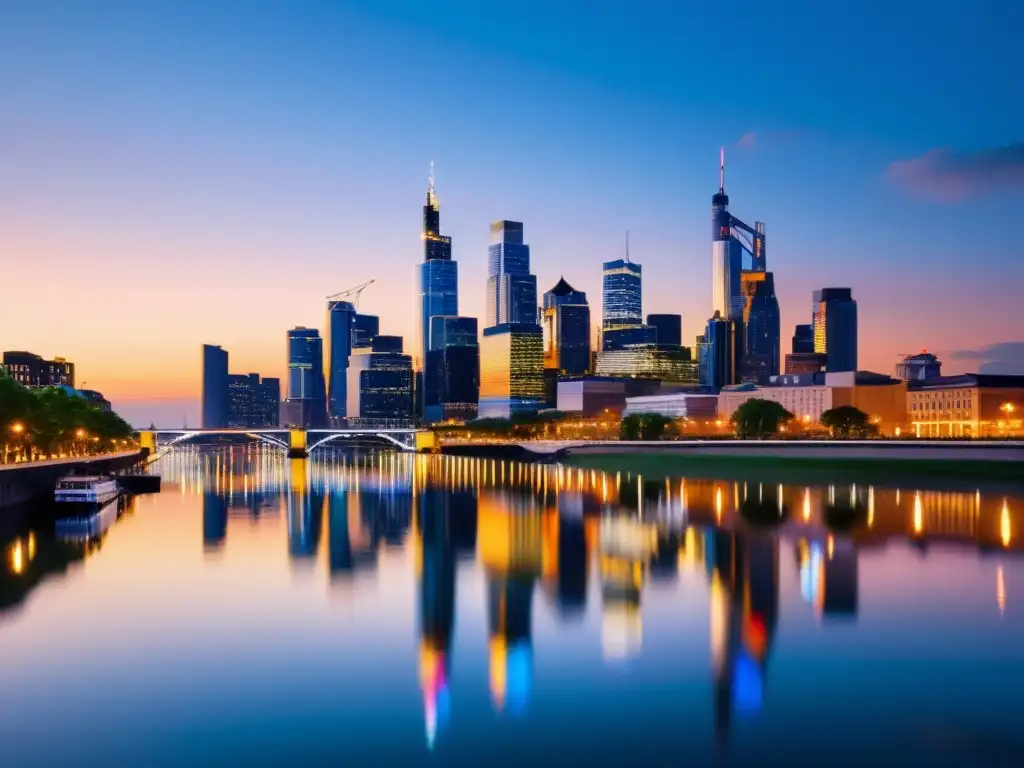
[511, 370]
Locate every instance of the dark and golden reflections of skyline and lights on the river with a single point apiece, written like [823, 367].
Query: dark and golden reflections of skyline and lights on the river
[586, 545]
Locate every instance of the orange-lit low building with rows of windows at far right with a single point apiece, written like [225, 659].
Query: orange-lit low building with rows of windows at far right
[967, 406]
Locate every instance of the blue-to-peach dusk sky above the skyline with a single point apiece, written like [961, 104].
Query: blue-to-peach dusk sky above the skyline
[180, 174]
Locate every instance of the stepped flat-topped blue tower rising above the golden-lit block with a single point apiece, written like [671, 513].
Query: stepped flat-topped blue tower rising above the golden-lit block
[511, 289]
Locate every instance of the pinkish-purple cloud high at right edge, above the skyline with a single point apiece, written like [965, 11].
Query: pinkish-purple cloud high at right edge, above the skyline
[949, 177]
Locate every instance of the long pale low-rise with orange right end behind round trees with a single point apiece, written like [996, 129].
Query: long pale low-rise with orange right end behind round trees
[809, 396]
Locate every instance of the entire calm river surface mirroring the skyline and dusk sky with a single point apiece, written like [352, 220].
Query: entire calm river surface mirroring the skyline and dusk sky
[385, 610]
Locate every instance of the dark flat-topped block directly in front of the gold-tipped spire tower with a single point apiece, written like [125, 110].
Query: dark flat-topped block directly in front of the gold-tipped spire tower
[454, 369]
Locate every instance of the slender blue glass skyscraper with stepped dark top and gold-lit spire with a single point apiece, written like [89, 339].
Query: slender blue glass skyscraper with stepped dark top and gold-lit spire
[439, 287]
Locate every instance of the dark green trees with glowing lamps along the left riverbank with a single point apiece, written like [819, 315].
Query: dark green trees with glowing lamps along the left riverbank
[40, 423]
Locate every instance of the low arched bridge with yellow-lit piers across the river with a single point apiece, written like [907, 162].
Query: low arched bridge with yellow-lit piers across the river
[298, 443]
